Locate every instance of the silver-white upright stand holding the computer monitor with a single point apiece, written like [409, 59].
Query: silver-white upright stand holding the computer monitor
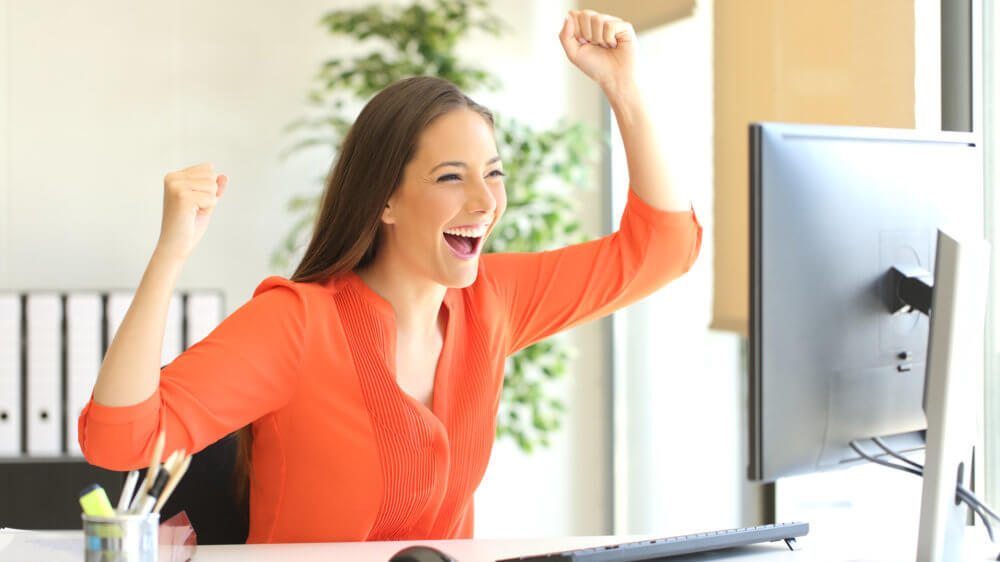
[954, 367]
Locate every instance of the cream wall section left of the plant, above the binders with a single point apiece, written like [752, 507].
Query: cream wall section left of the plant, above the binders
[104, 98]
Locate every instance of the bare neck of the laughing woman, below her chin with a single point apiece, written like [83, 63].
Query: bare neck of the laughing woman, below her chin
[416, 301]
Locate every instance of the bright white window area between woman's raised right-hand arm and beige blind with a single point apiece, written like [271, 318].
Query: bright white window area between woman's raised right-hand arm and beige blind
[680, 444]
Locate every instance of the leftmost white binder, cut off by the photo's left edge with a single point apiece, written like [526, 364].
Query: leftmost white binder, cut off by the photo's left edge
[10, 374]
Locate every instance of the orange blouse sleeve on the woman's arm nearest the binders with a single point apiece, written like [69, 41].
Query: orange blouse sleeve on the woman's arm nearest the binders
[245, 368]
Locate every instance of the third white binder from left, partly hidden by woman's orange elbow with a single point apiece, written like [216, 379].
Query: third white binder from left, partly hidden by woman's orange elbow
[83, 359]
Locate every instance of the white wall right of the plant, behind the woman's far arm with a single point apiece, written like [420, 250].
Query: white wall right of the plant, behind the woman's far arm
[563, 490]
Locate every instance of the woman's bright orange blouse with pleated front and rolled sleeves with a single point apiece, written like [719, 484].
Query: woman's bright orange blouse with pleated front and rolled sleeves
[340, 451]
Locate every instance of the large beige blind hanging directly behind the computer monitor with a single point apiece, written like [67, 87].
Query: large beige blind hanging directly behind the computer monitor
[810, 61]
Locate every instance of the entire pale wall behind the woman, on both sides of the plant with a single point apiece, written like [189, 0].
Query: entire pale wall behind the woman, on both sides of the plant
[100, 99]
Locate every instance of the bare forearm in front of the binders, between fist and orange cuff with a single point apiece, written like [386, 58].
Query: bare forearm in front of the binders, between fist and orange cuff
[130, 372]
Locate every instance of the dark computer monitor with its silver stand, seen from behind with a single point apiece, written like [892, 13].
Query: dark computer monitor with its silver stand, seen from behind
[851, 252]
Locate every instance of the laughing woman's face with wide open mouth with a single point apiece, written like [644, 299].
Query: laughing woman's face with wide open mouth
[454, 183]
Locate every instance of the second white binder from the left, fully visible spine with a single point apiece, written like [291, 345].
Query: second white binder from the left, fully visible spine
[44, 373]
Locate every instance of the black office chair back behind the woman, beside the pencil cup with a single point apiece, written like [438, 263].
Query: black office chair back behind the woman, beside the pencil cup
[205, 493]
